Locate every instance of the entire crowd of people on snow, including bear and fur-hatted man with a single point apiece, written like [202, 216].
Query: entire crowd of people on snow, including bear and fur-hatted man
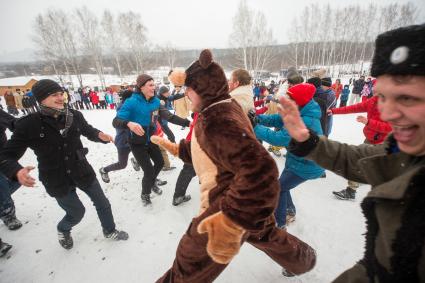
[243, 198]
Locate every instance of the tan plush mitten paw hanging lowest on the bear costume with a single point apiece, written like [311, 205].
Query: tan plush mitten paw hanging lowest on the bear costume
[224, 237]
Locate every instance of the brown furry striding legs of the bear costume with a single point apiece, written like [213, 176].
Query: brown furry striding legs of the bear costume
[193, 264]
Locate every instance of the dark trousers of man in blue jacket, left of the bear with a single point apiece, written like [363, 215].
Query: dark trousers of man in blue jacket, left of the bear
[143, 154]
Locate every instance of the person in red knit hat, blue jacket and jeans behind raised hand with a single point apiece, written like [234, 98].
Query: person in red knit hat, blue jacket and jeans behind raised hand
[297, 170]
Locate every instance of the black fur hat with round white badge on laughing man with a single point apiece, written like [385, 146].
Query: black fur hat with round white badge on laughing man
[400, 52]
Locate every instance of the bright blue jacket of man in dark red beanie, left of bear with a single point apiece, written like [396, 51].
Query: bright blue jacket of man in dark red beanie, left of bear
[137, 109]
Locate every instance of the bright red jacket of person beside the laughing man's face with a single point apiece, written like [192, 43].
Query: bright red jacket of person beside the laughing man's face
[375, 130]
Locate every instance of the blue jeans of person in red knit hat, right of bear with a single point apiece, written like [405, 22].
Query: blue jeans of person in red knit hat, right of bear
[288, 181]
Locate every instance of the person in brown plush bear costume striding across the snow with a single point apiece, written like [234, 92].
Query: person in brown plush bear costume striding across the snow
[239, 186]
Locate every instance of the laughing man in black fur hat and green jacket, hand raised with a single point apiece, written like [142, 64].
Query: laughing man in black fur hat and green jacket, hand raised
[395, 207]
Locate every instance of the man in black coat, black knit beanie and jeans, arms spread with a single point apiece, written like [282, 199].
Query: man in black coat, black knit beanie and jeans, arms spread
[54, 136]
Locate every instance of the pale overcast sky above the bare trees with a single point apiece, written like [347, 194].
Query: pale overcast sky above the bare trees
[184, 23]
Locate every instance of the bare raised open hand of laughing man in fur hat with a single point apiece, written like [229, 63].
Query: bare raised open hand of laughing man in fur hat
[291, 118]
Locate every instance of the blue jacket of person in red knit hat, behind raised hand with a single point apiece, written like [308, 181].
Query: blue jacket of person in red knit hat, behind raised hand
[301, 167]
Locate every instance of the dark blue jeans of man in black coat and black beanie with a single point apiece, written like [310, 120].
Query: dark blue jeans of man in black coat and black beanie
[74, 208]
